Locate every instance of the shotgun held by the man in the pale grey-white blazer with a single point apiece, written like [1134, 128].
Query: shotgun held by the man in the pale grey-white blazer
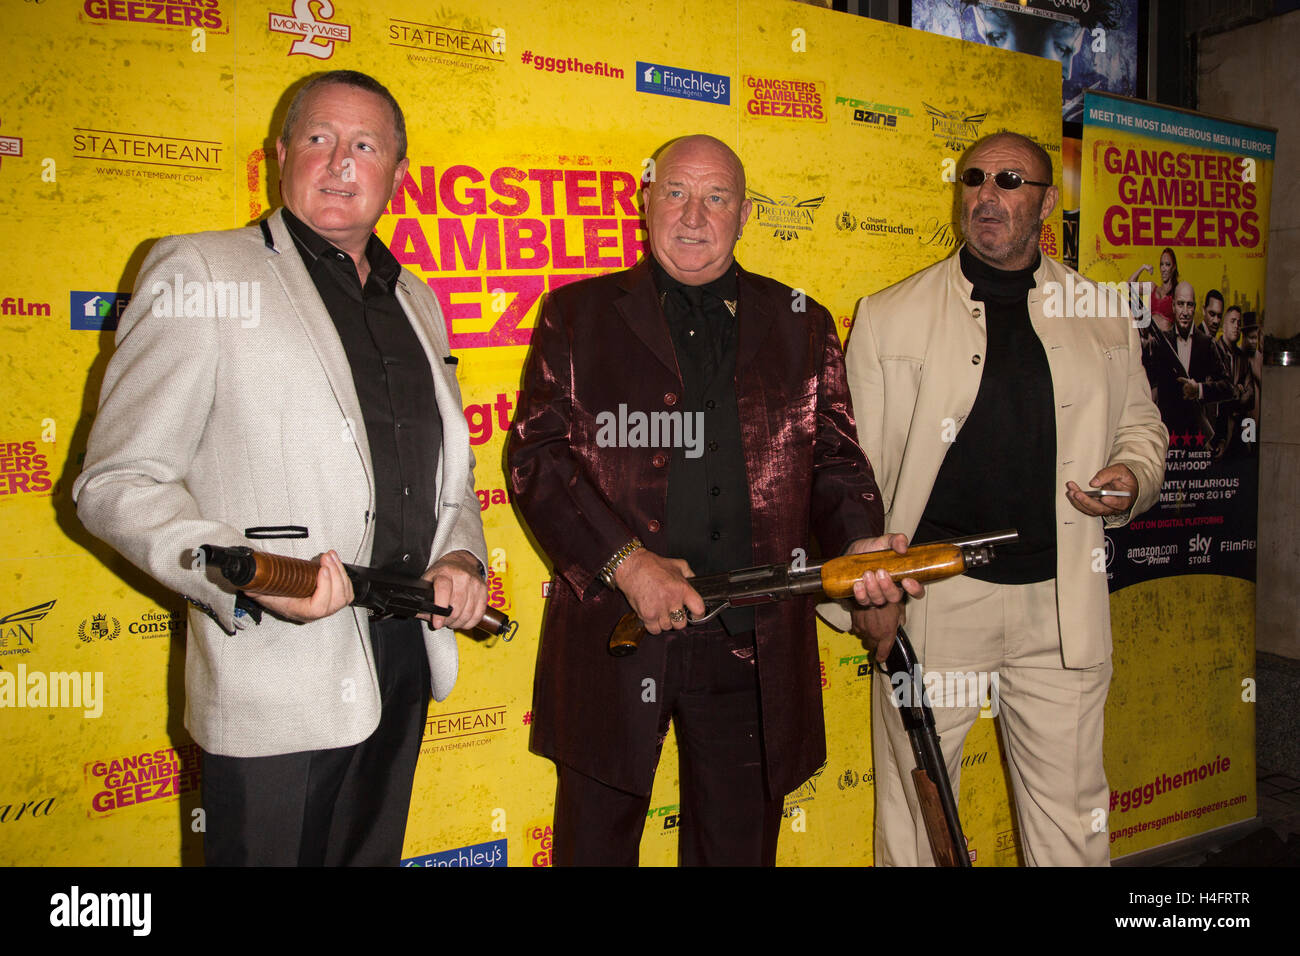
[392, 595]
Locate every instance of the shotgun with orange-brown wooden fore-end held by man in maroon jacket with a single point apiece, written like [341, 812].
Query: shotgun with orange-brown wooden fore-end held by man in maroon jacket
[755, 586]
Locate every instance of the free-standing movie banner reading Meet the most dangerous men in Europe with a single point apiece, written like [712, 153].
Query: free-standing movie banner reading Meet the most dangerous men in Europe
[1175, 231]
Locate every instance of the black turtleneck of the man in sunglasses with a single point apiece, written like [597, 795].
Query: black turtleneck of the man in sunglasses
[1000, 473]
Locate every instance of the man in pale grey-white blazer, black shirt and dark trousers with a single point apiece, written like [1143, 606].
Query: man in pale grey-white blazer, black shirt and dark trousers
[292, 382]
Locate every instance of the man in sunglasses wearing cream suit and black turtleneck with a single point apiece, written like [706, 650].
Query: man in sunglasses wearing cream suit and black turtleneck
[981, 413]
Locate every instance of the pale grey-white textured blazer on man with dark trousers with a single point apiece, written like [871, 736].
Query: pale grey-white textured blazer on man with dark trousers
[209, 426]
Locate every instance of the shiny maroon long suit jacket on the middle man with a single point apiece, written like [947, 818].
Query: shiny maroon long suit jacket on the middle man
[605, 343]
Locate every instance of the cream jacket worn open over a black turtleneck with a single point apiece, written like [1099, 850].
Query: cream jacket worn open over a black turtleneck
[915, 361]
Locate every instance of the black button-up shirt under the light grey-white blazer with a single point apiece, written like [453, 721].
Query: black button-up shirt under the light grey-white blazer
[395, 387]
